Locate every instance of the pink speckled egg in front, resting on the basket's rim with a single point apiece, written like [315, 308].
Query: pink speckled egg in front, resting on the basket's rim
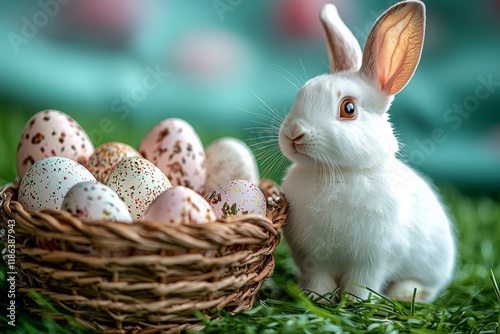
[180, 206]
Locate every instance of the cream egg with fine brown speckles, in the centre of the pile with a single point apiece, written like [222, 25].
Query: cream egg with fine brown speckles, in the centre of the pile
[138, 182]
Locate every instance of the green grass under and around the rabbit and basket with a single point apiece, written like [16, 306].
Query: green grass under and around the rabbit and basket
[471, 304]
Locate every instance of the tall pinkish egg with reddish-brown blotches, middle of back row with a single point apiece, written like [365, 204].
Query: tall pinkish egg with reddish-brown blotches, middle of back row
[176, 149]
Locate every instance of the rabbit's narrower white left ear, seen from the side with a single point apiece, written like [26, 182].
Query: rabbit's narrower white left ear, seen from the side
[343, 48]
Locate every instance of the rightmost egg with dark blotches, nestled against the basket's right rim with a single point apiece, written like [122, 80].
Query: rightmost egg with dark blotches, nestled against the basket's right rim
[237, 197]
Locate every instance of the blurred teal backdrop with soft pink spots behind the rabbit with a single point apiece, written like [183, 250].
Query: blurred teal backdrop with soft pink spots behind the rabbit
[120, 66]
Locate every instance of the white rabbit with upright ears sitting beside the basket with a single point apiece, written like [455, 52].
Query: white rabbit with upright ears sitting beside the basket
[359, 217]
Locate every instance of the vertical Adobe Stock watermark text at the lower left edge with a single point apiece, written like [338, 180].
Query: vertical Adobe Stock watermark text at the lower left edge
[10, 259]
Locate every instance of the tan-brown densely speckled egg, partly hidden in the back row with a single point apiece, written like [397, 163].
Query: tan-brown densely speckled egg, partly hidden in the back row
[106, 156]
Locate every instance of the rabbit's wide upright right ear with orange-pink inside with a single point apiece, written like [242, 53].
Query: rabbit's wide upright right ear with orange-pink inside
[393, 48]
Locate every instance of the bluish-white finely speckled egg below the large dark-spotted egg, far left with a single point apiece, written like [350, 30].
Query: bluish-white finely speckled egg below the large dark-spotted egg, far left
[48, 180]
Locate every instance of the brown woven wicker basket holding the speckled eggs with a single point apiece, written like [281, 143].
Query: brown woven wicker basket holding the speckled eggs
[145, 293]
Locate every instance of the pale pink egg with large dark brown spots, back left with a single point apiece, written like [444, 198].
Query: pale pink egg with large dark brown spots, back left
[52, 133]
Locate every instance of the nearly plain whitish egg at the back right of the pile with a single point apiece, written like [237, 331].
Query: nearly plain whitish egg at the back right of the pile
[230, 159]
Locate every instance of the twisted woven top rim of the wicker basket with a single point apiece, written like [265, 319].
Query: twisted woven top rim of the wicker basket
[59, 224]
